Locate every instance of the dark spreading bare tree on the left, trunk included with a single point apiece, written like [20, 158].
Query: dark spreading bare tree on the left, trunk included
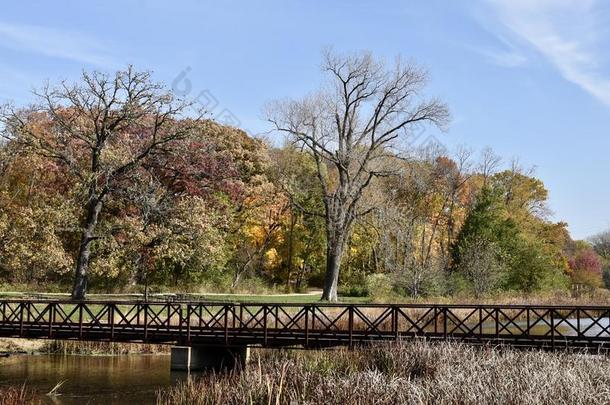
[102, 129]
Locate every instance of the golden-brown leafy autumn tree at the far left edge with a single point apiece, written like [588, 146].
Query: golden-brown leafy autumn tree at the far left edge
[35, 216]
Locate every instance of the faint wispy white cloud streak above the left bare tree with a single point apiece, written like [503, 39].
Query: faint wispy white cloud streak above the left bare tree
[54, 43]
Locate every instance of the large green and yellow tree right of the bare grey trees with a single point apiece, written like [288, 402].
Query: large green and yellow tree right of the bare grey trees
[509, 216]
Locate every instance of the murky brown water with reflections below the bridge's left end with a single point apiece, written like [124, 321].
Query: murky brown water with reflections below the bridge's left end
[91, 379]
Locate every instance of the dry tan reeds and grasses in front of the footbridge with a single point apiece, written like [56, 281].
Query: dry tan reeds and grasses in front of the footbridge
[404, 373]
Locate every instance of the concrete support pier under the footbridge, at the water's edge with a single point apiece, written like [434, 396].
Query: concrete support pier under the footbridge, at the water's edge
[186, 358]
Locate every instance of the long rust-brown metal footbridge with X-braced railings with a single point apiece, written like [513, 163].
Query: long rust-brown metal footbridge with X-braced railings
[206, 333]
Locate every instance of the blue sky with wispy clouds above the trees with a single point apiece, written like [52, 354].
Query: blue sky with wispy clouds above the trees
[529, 78]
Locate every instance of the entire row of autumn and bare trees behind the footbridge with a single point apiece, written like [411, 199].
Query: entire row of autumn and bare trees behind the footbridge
[114, 183]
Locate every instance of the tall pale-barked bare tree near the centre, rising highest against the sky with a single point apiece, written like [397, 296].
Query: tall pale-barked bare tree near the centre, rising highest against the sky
[350, 127]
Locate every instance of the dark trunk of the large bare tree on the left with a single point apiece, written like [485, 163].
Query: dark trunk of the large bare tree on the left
[79, 290]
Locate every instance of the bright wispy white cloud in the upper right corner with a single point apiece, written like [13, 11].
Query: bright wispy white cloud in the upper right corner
[566, 33]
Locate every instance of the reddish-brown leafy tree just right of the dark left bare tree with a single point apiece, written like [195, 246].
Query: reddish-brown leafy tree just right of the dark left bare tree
[203, 175]
